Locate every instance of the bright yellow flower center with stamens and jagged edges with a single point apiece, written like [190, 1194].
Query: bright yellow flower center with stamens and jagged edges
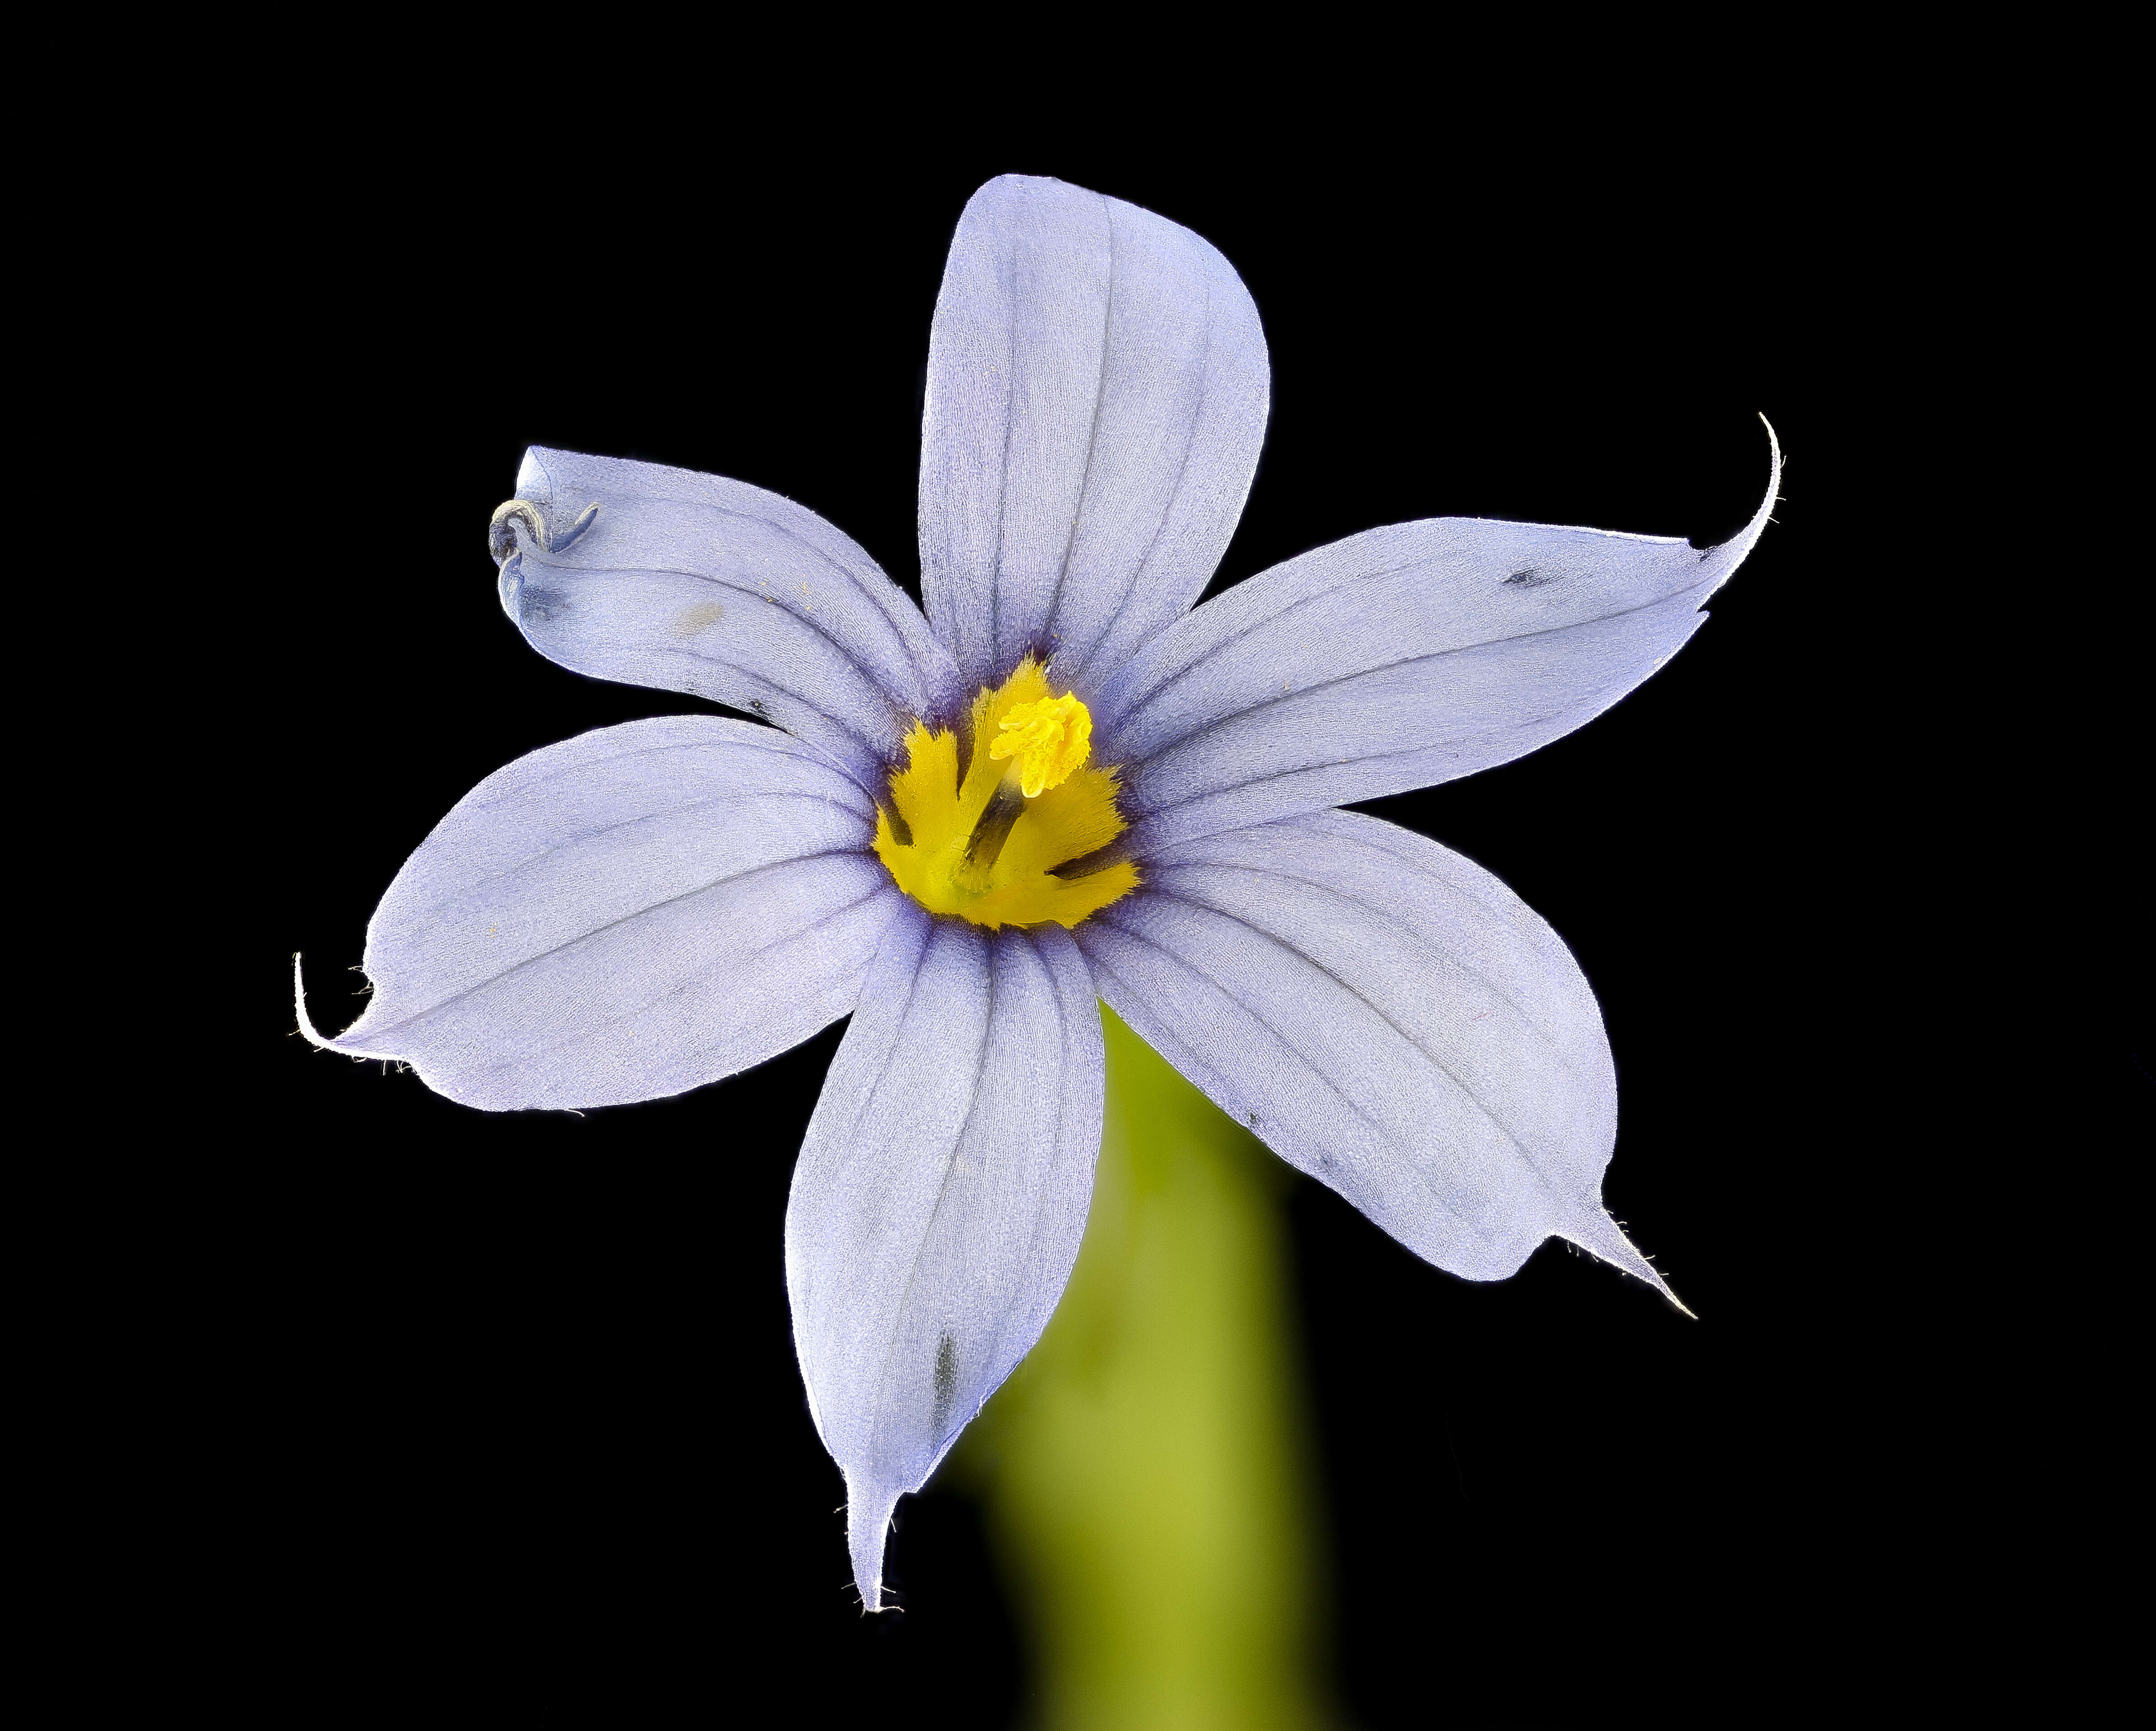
[986, 846]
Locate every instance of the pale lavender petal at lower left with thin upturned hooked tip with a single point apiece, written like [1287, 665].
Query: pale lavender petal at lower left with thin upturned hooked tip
[626, 915]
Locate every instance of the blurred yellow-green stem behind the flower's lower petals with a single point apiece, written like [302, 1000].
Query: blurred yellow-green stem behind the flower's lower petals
[1146, 1467]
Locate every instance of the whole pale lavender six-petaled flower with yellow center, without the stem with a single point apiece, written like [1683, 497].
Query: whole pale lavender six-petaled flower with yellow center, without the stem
[1062, 784]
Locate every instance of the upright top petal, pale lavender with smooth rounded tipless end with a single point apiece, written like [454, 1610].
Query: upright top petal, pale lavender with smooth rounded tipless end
[1098, 393]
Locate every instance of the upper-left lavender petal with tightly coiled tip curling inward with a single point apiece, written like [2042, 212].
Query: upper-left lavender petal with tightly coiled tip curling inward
[691, 583]
